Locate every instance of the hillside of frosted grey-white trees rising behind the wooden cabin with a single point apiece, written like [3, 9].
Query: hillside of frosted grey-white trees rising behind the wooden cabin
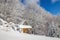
[42, 22]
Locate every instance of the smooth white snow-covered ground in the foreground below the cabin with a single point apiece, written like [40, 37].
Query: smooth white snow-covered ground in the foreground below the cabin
[13, 35]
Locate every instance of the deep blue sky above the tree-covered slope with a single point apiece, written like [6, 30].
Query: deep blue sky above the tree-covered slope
[53, 6]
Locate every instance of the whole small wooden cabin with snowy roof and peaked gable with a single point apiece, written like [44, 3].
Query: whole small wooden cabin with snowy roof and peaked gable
[24, 27]
